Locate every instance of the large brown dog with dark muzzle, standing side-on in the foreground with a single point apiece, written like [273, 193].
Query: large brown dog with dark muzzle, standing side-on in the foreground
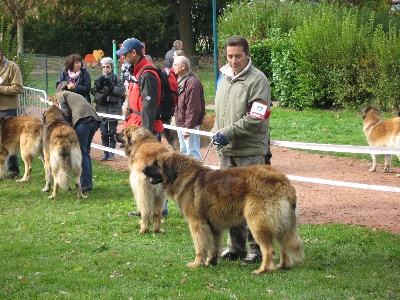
[212, 200]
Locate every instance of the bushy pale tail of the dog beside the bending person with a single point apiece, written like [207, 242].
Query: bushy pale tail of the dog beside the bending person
[61, 163]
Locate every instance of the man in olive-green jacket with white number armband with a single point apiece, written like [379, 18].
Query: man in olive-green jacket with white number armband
[242, 106]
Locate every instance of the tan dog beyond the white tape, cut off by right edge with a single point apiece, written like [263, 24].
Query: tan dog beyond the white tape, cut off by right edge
[381, 133]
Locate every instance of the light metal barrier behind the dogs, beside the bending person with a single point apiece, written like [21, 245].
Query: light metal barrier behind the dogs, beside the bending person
[33, 102]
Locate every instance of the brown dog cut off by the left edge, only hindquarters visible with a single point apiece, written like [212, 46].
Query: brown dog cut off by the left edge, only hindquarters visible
[22, 134]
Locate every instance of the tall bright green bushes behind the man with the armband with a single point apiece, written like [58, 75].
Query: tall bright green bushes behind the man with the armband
[322, 55]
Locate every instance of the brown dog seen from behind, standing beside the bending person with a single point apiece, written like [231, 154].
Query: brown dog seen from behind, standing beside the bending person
[62, 153]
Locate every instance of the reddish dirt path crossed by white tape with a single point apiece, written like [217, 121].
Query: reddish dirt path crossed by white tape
[324, 204]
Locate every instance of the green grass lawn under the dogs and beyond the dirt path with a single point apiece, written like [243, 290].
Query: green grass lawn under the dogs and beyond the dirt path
[91, 249]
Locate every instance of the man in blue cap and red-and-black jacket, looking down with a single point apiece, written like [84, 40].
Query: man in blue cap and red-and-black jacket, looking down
[145, 95]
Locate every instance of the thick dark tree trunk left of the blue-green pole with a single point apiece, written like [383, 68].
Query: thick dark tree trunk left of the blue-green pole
[183, 14]
